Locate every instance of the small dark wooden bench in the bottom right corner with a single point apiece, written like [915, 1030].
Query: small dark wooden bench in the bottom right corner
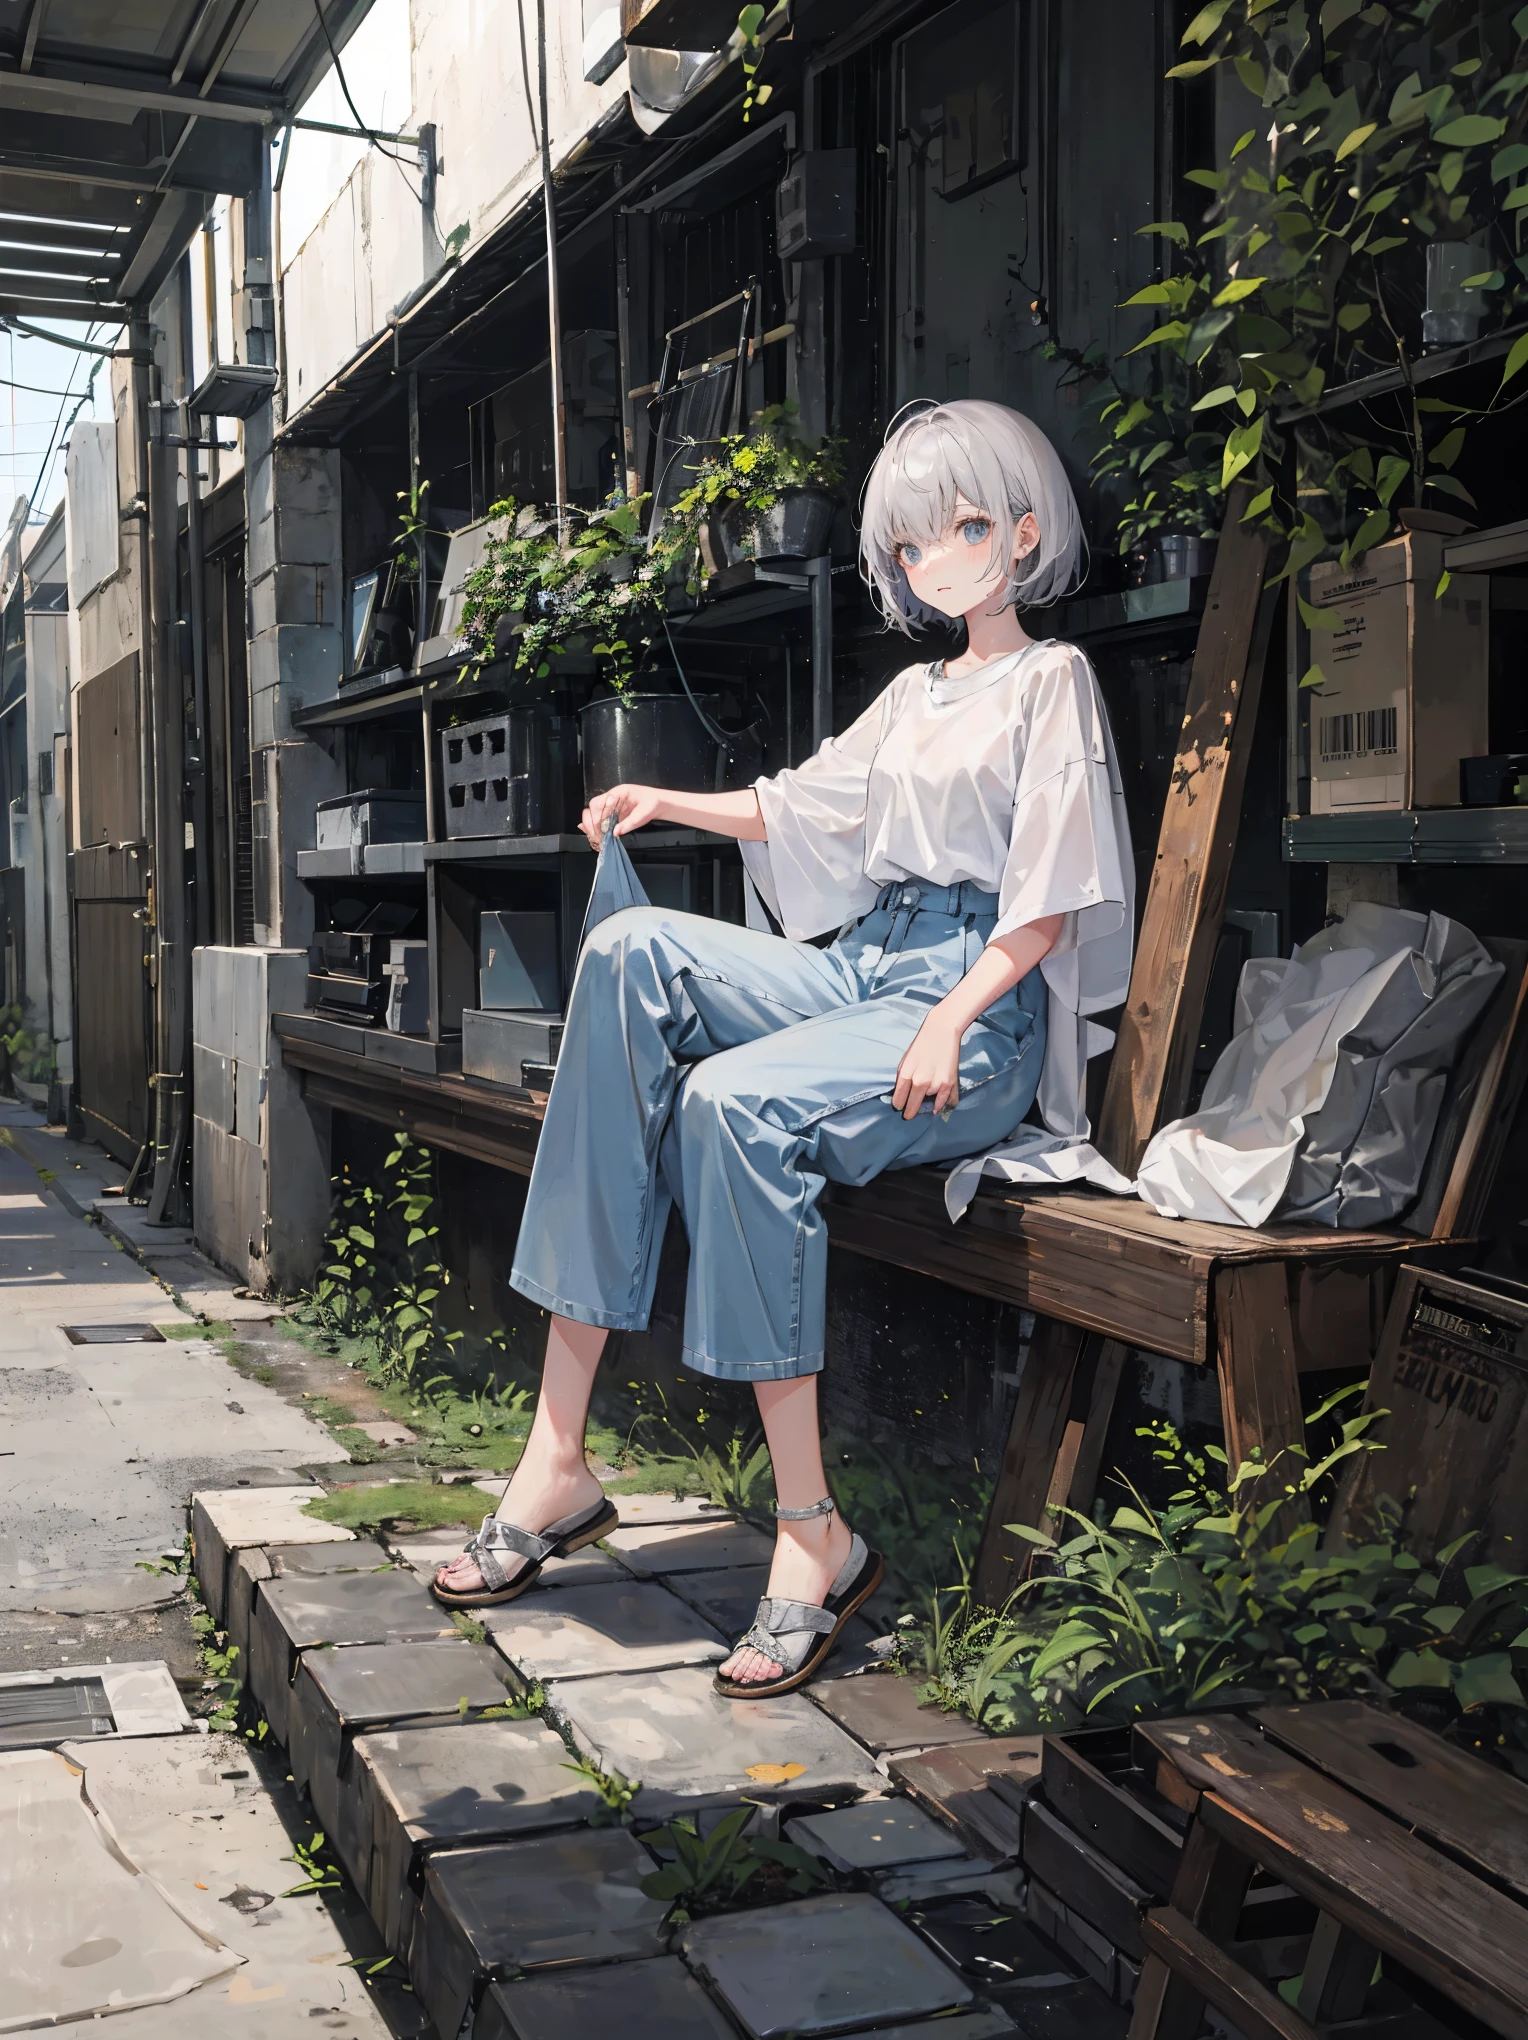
[1409, 1849]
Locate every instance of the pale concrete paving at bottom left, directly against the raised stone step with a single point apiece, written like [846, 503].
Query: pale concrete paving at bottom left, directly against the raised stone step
[197, 1819]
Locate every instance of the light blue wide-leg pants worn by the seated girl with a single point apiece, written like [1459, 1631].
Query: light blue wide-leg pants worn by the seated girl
[733, 1074]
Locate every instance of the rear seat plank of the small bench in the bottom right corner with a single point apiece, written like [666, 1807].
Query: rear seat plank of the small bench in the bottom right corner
[1451, 1798]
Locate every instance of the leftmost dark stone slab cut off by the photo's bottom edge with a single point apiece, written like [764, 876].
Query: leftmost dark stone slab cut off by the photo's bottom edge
[656, 2000]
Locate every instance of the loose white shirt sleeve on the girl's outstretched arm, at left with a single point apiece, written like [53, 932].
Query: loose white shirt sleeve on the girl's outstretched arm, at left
[811, 868]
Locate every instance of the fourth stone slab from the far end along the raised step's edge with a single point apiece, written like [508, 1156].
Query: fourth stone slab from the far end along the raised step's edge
[440, 1788]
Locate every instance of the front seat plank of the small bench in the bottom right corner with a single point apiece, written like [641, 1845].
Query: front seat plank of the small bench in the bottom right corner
[1386, 1886]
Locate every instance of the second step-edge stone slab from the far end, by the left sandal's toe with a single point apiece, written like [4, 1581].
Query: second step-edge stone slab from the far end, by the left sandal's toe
[340, 1609]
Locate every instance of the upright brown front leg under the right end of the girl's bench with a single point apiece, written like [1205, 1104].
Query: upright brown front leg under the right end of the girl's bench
[1260, 1378]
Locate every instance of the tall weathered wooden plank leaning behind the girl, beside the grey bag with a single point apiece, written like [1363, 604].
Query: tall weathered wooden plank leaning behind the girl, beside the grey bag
[1160, 1029]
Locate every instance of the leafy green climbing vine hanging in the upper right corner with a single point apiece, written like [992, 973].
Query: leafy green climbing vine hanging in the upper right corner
[1382, 132]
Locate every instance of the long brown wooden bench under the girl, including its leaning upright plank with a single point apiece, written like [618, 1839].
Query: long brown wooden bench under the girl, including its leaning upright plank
[1107, 1274]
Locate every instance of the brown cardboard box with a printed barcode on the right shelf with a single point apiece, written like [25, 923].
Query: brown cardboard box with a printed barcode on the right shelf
[1407, 680]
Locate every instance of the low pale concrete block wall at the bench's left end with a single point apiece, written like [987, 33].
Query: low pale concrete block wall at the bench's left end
[260, 1156]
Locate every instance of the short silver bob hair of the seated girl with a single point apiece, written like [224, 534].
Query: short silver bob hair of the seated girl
[1001, 464]
